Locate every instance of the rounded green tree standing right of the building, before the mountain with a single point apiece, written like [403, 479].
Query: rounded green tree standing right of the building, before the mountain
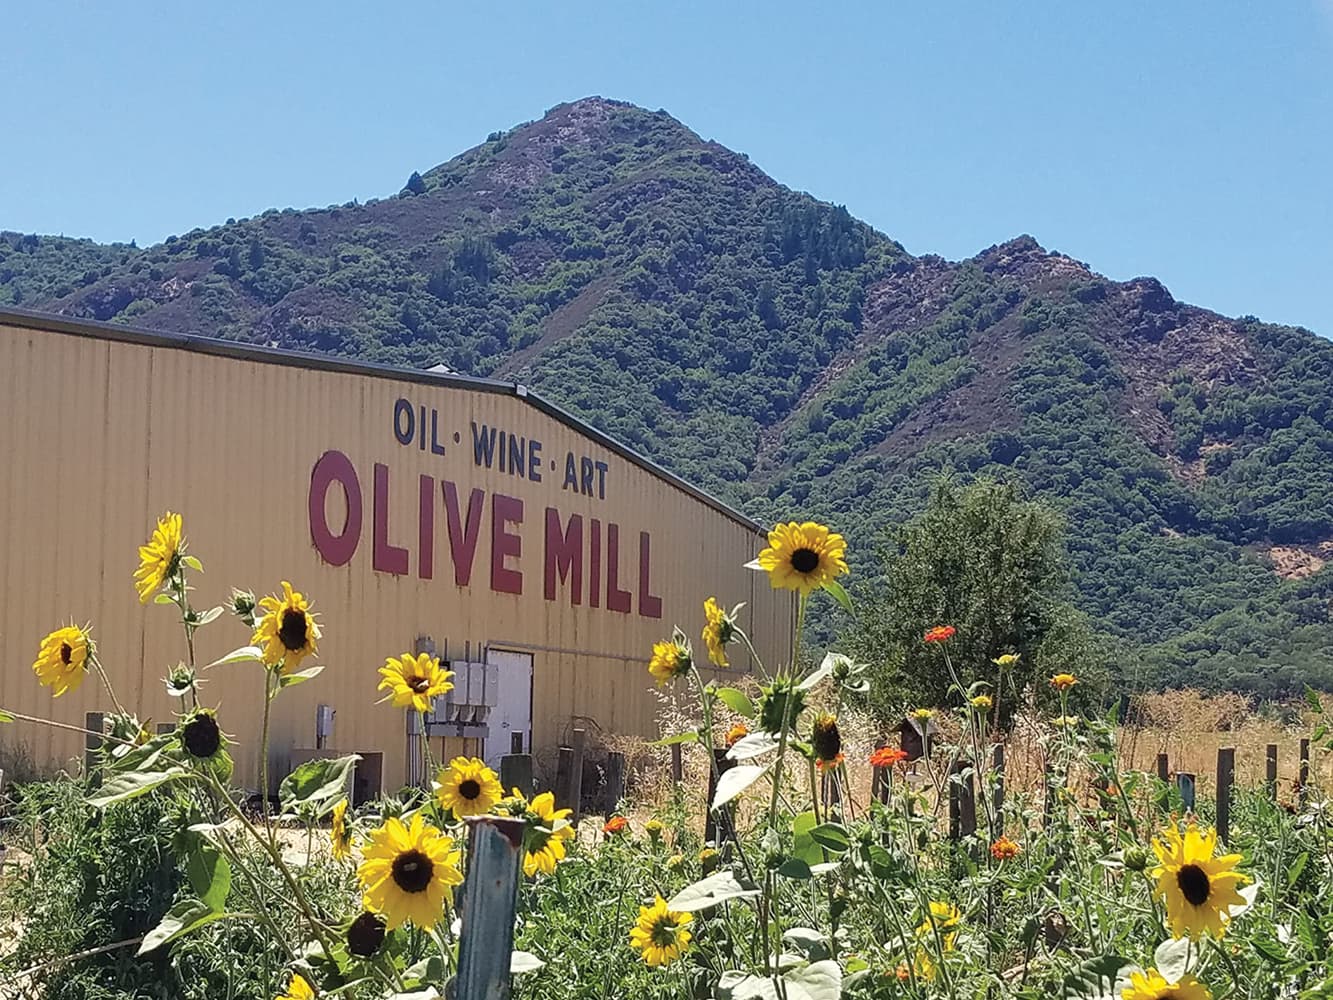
[992, 566]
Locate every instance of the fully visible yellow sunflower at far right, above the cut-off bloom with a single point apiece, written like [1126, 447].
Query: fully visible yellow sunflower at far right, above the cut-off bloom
[1199, 890]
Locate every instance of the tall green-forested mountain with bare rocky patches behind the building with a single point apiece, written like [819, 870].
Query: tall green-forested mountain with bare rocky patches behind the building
[794, 361]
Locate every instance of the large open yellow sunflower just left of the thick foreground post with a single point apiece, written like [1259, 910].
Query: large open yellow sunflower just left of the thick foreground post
[410, 873]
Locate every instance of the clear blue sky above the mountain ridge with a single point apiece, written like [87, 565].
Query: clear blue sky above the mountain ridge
[1188, 141]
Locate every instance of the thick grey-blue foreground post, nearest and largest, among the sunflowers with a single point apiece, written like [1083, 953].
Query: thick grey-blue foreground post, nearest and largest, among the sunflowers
[490, 899]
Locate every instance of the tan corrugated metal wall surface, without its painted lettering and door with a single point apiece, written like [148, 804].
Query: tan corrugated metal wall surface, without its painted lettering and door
[101, 437]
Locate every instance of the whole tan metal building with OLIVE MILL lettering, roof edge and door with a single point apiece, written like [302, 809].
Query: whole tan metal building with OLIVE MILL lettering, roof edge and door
[537, 555]
